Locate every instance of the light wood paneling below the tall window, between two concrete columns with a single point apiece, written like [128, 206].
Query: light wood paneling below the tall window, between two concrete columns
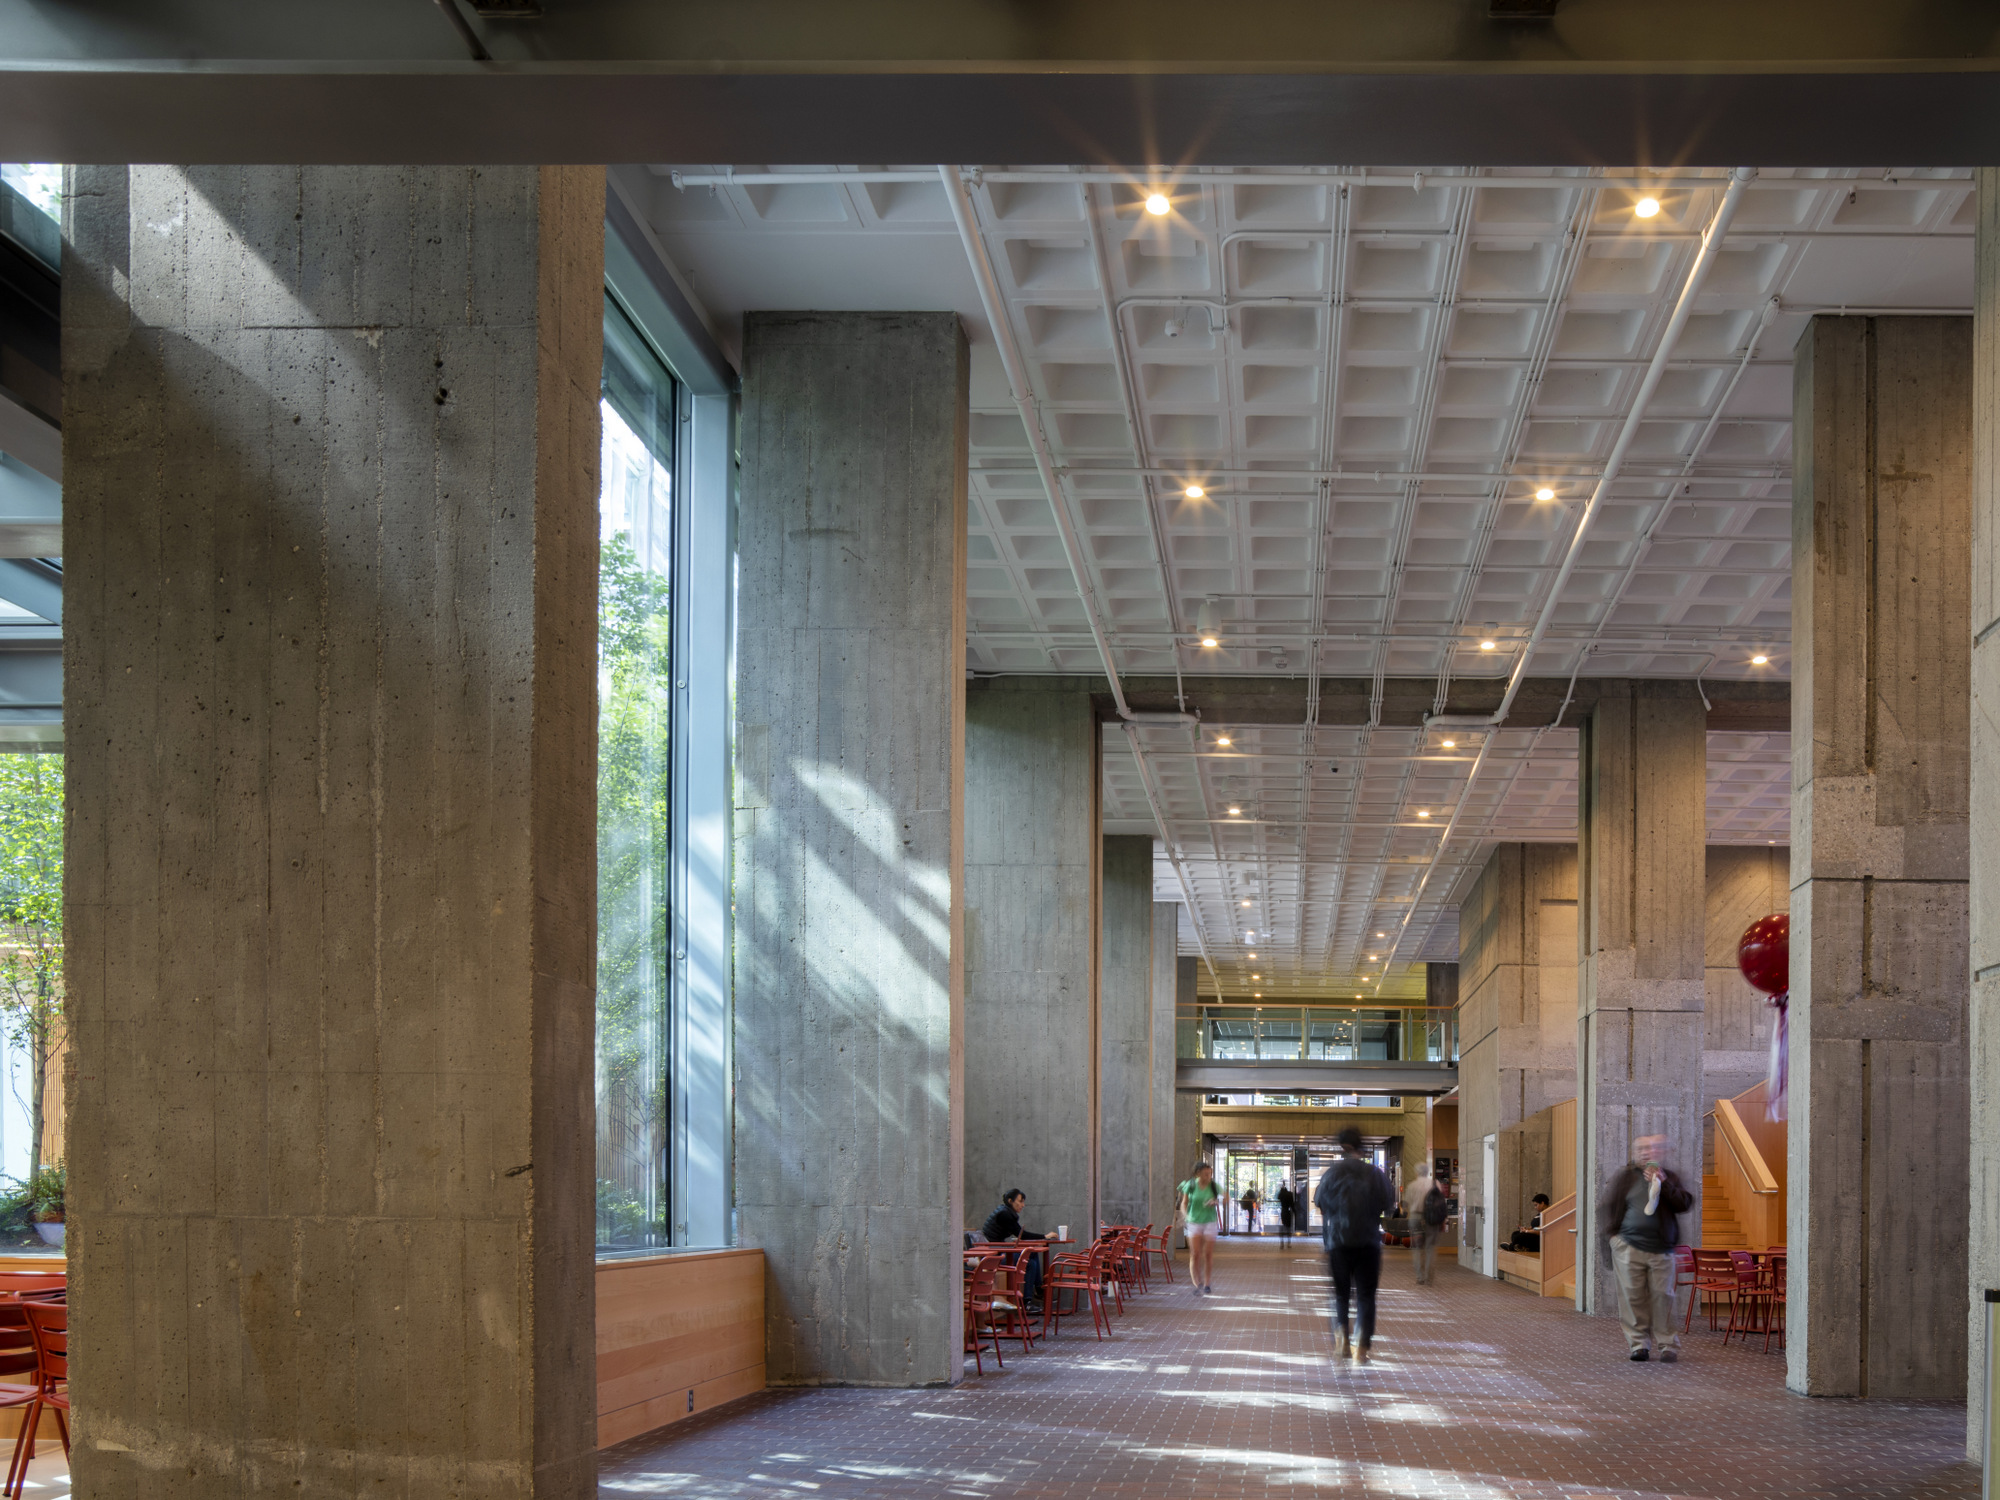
[677, 1335]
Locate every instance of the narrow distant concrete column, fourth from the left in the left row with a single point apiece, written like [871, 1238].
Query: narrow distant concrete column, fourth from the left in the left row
[1125, 1033]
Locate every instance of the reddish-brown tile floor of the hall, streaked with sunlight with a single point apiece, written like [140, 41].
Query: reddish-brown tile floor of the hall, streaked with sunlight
[1477, 1393]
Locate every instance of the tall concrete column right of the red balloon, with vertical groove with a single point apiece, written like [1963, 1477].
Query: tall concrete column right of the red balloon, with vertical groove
[1881, 805]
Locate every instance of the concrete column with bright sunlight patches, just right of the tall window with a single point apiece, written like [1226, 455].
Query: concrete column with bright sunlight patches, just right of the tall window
[849, 841]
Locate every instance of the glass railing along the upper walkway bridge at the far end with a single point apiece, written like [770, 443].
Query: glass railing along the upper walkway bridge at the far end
[1227, 1033]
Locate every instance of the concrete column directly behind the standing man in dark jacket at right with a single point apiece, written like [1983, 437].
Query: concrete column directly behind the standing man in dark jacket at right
[1641, 837]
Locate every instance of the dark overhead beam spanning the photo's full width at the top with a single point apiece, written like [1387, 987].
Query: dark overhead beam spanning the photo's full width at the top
[1837, 83]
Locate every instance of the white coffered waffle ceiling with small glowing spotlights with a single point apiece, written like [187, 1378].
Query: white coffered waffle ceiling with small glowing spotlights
[1369, 381]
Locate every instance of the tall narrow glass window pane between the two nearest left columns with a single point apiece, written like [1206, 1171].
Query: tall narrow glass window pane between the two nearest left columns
[635, 791]
